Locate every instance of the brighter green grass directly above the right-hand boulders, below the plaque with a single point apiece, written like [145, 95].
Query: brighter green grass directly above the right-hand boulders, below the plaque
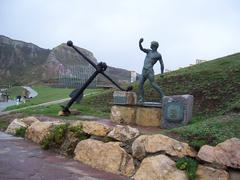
[208, 131]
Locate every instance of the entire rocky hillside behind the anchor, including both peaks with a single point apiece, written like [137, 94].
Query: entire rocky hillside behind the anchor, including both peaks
[24, 63]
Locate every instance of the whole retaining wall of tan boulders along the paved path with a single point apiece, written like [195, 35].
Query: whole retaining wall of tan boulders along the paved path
[123, 150]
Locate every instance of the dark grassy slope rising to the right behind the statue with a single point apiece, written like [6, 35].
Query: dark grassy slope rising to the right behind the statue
[214, 84]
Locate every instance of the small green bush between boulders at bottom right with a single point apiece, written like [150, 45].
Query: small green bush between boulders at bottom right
[189, 165]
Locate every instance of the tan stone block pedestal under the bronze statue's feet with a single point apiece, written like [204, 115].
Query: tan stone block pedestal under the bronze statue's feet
[136, 115]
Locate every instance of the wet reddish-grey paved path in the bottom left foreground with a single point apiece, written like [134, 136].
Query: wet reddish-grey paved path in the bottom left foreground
[21, 159]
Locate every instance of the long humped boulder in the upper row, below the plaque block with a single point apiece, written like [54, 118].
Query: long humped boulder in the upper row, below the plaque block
[160, 143]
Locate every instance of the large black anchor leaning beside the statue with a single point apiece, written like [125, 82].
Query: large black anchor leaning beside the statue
[100, 68]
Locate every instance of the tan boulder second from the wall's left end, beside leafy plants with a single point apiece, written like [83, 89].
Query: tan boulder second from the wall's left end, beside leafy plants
[39, 130]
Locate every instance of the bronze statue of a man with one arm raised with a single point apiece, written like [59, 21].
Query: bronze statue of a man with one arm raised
[147, 72]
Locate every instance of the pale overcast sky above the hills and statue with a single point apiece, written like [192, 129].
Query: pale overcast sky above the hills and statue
[185, 29]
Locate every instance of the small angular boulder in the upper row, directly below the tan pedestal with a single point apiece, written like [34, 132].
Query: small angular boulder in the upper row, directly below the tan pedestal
[123, 133]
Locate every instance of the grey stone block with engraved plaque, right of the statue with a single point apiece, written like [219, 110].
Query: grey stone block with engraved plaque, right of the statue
[177, 110]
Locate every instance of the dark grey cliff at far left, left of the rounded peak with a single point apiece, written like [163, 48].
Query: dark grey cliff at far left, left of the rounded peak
[20, 62]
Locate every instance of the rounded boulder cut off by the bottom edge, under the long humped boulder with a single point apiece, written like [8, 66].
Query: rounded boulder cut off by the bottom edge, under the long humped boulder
[159, 167]
